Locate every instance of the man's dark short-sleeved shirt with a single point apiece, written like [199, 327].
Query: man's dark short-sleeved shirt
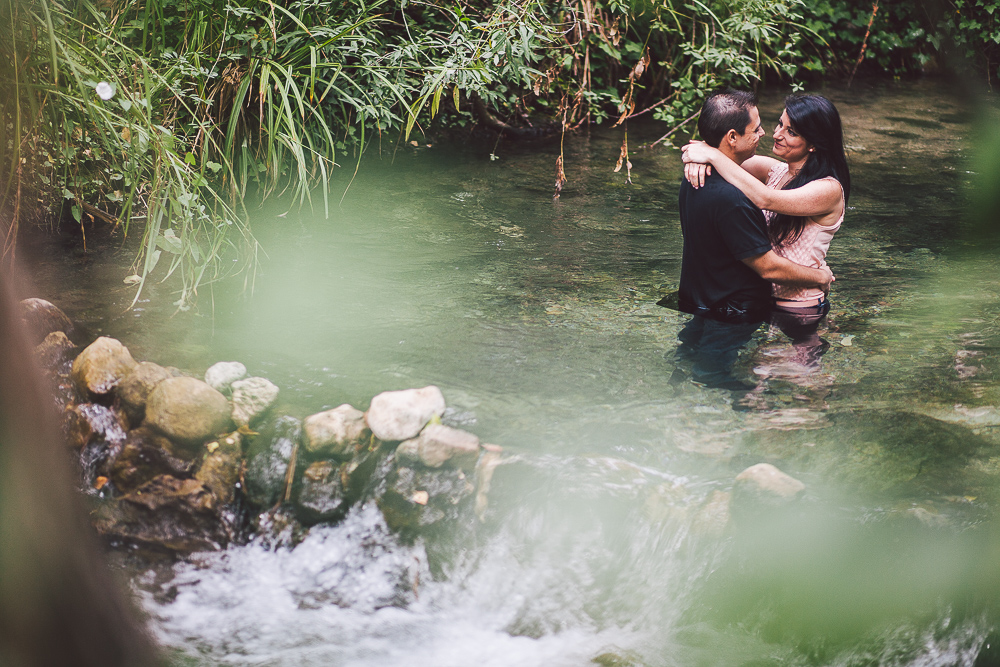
[721, 227]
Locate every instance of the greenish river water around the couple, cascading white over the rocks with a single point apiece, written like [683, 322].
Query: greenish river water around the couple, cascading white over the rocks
[602, 542]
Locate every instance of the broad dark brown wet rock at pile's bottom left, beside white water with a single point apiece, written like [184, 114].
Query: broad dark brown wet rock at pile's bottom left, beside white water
[169, 513]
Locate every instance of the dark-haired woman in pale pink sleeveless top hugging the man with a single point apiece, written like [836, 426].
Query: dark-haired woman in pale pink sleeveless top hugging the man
[803, 194]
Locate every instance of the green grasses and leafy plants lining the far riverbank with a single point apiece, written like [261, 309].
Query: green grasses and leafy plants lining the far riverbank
[161, 117]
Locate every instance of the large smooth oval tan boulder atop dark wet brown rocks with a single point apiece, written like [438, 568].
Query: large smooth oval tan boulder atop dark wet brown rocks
[187, 410]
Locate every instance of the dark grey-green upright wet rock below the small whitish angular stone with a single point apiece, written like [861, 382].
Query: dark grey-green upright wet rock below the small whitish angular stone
[269, 456]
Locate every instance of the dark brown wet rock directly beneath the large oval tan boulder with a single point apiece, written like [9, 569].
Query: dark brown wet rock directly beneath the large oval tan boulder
[145, 455]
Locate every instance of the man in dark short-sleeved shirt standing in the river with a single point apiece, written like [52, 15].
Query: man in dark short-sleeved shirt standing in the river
[728, 263]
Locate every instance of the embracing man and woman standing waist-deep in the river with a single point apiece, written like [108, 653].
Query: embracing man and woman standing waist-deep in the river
[757, 229]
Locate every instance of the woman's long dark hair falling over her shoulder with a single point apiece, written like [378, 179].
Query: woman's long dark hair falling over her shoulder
[815, 119]
